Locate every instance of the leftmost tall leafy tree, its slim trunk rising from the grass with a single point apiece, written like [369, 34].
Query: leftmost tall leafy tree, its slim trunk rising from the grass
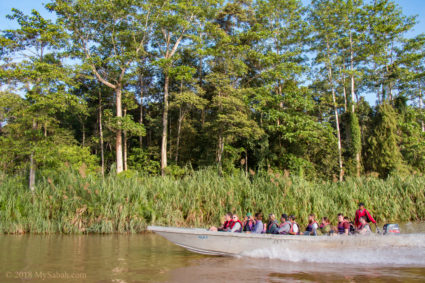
[40, 74]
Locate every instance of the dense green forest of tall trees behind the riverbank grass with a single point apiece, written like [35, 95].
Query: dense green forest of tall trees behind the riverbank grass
[162, 87]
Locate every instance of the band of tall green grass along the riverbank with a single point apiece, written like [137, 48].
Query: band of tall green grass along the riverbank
[71, 203]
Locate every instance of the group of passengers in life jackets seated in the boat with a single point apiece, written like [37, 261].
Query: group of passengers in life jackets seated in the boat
[289, 226]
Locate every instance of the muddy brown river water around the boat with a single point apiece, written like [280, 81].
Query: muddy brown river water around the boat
[149, 258]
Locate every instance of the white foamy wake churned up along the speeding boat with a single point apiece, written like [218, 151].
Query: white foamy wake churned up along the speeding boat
[399, 250]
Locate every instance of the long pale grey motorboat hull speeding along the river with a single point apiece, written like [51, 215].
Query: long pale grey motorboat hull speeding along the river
[233, 244]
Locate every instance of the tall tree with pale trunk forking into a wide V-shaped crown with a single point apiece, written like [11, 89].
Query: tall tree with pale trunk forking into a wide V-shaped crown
[108, 37]
